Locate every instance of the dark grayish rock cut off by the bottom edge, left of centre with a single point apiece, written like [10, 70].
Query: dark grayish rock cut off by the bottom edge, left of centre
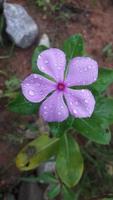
[30, 191]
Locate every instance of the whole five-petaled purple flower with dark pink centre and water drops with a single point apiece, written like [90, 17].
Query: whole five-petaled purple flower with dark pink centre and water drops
[62, 98]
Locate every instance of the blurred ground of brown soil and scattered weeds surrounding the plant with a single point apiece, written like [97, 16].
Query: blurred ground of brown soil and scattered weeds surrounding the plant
[58, 19]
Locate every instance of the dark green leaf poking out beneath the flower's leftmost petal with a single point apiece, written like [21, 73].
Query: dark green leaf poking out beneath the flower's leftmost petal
[22, 106]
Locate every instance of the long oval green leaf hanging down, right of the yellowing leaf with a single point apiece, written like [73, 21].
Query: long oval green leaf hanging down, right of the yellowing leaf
[69, 161]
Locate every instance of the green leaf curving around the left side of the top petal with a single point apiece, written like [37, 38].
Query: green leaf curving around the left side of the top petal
[36, 53]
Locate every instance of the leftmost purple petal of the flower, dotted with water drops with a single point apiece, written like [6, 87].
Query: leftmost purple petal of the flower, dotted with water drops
[35, 87]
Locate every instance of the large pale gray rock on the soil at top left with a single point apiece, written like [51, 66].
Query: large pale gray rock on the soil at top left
[20, 26]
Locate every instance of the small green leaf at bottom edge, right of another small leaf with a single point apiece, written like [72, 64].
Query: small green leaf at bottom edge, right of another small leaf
[67, 193]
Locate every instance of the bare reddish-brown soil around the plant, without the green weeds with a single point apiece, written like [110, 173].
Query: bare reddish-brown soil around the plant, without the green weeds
[93, 19]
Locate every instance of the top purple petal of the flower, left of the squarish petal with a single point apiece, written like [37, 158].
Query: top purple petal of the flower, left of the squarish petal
[52, 62]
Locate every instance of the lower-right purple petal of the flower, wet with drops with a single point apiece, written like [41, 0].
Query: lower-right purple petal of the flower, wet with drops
[81, 103]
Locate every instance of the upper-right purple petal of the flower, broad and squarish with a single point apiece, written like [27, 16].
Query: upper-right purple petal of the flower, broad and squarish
[82, 71]
